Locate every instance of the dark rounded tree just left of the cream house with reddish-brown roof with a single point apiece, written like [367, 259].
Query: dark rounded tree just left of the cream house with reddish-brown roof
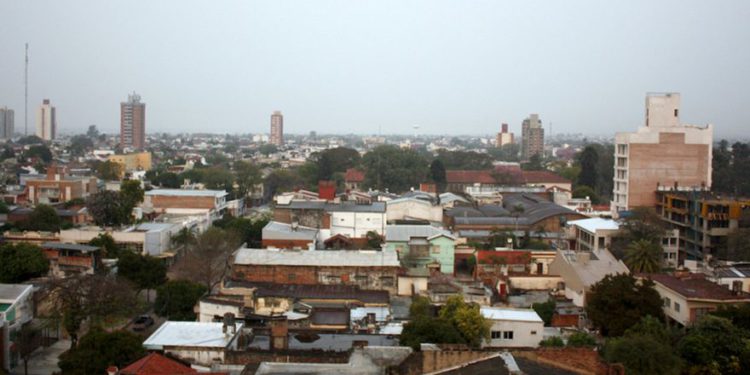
[617, 302]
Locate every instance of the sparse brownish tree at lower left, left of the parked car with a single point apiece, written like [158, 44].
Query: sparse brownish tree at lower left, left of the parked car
[94, 297]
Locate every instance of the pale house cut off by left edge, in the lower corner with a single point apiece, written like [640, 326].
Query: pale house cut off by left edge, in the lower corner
[16, 309]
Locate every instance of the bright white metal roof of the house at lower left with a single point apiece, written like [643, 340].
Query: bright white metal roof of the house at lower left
[196, 334]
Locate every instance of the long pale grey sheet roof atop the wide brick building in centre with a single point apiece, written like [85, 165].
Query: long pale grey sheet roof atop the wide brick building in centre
[342, 258]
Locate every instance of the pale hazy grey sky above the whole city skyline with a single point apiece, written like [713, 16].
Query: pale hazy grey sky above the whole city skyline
[456, 67]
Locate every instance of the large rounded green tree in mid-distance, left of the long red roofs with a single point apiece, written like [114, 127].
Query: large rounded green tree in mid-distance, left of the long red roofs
[389, 167]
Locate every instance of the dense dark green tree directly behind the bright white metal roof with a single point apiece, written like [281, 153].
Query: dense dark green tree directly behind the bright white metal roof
[175, 300]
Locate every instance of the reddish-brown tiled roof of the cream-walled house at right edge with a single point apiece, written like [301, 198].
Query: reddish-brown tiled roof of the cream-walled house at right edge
[695, 286]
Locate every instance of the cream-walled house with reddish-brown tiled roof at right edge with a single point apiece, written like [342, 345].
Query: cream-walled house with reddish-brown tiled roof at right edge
[689, 296]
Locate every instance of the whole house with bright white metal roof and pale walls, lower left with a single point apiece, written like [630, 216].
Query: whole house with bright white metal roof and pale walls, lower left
[197, 342]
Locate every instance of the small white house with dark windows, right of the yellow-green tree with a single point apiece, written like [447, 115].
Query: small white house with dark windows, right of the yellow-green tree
[513, 327]
